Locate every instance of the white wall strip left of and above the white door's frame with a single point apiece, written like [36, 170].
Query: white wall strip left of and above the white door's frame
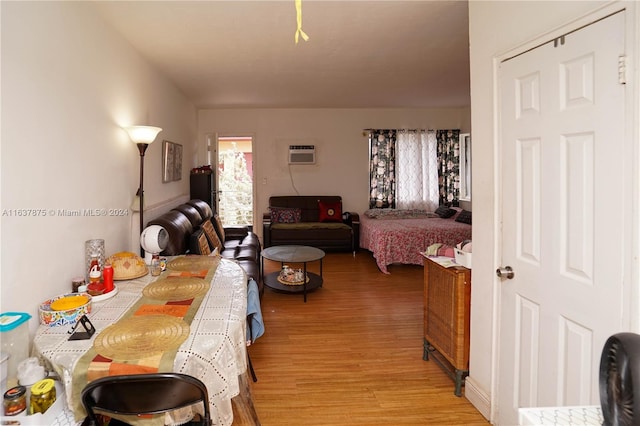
[495, 28]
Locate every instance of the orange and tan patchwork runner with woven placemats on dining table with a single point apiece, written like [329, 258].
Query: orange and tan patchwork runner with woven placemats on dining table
[117, 349]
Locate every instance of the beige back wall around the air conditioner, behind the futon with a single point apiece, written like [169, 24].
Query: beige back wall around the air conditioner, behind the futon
[342, 151]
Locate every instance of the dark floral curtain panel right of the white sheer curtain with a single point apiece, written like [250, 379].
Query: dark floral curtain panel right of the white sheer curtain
[449, 166]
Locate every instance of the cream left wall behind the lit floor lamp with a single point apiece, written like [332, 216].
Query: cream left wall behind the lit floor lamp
[69, 85]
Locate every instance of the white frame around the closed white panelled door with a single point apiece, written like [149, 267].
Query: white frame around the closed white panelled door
[632, 142]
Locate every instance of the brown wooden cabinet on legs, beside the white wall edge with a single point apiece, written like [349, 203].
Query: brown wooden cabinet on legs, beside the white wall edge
[447, 305]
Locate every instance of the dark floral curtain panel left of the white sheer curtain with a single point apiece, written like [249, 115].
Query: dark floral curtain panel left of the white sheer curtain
[382, 174]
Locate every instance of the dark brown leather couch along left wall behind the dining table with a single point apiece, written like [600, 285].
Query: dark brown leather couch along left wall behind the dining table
[186, 226]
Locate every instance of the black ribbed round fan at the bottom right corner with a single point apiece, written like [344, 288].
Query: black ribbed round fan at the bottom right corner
[619, 378]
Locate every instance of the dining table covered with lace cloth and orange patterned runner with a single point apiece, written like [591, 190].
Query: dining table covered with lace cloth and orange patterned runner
[212, 346]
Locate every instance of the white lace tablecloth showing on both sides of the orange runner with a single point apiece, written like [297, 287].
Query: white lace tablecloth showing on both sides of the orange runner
[214, 352]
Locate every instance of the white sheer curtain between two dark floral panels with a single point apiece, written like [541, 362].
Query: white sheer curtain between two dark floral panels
[417, 170]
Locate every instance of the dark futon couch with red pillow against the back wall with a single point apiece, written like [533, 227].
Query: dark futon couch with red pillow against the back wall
[316, 221]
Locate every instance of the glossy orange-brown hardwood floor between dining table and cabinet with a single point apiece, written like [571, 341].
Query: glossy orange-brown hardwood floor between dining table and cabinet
[352, 355]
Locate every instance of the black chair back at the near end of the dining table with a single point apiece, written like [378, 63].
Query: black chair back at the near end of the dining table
[135, 394]
